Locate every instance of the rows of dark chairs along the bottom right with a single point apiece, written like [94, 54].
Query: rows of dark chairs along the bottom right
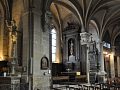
[111, 84]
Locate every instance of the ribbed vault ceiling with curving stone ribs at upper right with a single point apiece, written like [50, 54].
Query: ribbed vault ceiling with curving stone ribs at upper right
[105, 13]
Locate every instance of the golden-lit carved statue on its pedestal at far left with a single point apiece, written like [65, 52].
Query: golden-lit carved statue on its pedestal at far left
[12, 29]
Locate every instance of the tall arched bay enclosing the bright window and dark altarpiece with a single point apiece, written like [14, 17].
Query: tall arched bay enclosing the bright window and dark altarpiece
[65, 41]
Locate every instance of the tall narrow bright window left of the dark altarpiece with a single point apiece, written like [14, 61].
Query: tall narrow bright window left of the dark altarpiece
[53, 34]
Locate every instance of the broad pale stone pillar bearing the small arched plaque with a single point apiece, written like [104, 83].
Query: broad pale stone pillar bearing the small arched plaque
[41, 47]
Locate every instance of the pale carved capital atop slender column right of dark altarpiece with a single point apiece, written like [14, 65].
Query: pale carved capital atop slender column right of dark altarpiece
[85, 37]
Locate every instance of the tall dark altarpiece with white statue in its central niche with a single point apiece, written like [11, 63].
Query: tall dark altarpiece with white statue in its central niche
[71, 47]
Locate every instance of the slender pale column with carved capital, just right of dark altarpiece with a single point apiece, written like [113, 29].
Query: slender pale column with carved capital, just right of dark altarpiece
[85, 41]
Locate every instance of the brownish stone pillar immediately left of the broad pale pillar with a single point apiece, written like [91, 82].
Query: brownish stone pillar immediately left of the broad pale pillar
[27, 64]
